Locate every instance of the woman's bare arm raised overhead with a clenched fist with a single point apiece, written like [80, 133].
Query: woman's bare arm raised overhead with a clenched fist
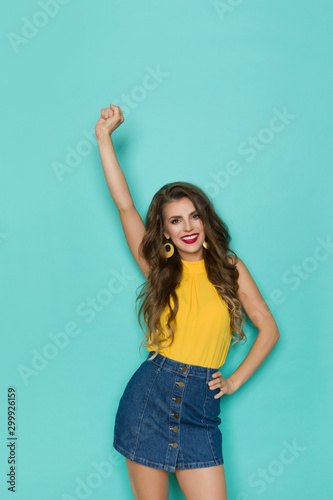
[133, 226]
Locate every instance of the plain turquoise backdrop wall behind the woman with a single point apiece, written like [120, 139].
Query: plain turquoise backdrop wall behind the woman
[226, 69]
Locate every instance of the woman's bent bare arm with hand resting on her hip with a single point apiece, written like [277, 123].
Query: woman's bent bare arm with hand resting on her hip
[268, 334]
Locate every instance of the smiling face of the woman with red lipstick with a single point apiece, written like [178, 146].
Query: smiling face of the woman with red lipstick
[183, 225]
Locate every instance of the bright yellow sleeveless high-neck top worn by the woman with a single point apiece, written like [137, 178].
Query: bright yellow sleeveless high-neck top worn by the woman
[203, 331]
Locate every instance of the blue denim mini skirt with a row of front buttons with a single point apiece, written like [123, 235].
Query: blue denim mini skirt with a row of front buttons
[168, 418]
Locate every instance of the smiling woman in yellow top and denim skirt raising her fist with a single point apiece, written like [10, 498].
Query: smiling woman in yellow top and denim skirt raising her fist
[191, 302]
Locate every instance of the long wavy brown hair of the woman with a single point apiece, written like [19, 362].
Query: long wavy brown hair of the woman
[165, 273]
